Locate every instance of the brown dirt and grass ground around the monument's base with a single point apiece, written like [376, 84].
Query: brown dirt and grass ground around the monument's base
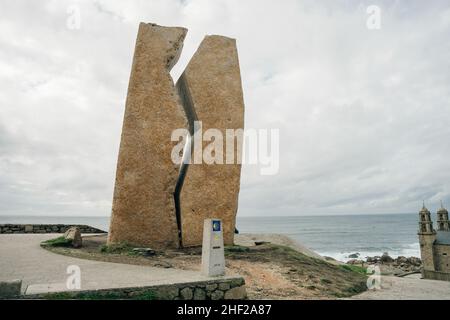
[271, 271]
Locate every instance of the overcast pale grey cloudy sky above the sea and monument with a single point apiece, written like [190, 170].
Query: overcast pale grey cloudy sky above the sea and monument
[363, 114]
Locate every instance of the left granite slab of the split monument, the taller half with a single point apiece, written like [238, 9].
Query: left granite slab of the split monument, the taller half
[143, 209]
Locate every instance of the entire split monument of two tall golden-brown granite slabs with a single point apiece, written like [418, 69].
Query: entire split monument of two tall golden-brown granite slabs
[156, 203]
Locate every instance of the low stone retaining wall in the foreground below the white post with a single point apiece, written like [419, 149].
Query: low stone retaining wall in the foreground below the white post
[216, 289]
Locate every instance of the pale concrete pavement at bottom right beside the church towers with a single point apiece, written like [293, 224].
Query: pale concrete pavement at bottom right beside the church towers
[408, 288]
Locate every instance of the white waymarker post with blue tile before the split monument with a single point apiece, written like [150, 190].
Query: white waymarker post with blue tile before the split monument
[213, 255]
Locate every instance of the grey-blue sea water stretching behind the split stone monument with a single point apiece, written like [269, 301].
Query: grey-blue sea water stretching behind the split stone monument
[333, 236]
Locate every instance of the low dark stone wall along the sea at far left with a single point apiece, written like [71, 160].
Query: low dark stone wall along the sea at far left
[45, 228]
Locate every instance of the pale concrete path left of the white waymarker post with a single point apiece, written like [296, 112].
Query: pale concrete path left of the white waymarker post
[42, 271]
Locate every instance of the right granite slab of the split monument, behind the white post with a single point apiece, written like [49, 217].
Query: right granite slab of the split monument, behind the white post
[212, 93]
